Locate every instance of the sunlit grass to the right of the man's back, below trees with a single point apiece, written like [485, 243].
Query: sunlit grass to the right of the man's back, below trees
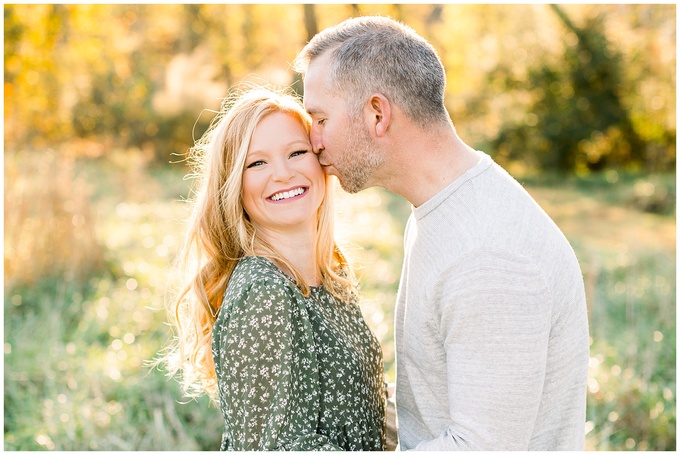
[626, 248]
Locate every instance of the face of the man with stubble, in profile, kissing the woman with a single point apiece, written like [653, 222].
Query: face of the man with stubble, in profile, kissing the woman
[339, 135]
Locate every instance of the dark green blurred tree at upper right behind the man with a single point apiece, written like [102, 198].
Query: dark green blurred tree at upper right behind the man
[578, 119]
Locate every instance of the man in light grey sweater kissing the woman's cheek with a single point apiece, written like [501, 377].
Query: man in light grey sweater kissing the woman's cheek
[491, 327]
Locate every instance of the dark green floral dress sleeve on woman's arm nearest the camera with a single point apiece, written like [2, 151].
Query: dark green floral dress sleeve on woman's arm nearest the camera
[269, 389]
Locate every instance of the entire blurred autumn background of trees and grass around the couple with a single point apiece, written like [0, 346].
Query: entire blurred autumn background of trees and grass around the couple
[101, 103]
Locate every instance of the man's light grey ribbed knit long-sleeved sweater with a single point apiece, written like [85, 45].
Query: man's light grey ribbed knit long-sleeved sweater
[491, 323]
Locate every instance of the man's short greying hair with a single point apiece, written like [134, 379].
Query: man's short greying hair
[376, 54]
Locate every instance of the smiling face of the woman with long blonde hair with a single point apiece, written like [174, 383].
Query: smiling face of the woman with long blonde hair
[283, 182]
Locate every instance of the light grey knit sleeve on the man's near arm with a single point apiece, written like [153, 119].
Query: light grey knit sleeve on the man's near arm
[495, 326]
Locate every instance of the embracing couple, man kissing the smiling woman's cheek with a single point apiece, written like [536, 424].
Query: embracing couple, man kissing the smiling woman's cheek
[491, 329]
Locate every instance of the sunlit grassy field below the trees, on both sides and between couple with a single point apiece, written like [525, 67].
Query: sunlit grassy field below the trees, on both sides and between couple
[87, 251]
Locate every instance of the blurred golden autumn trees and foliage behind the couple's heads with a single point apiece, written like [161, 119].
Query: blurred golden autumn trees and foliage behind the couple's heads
[577, 87]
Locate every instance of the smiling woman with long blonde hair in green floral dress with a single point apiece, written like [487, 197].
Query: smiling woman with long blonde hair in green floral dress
[269, 324]
